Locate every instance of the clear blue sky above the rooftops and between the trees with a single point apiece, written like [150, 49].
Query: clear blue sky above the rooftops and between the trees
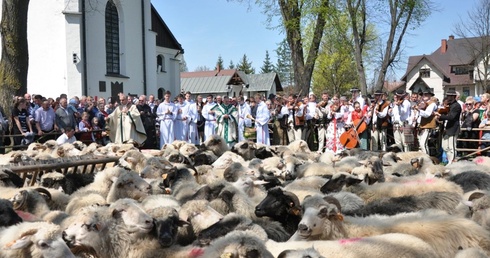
[207, 29]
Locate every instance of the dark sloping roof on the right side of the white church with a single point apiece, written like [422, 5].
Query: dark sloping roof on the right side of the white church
[165, 37]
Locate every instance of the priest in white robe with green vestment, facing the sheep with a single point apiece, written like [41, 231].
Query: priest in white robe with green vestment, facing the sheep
[226, 118]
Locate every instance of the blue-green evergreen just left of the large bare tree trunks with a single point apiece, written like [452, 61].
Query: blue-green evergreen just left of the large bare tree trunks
[284, 67]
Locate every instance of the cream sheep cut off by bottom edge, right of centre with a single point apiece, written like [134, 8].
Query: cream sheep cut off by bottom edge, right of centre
[386, 245]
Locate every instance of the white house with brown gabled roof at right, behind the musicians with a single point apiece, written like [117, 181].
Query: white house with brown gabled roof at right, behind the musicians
[451, 67]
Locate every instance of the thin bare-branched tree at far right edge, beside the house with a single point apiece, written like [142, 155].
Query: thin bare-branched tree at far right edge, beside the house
[476, 34]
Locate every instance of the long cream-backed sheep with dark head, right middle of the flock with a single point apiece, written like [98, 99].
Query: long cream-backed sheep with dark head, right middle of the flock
[370, 193]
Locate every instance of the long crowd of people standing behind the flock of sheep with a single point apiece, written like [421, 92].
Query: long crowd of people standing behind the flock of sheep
[416, 121]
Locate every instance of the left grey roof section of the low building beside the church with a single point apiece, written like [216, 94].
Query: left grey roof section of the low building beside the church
[207, 84]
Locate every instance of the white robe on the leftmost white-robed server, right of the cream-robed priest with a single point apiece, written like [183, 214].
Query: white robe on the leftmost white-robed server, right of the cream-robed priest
[166, 122]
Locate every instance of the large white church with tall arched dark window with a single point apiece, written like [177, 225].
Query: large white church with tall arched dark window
[100, 48]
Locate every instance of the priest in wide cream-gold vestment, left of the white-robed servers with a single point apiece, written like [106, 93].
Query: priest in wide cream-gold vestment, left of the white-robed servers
[125, 123]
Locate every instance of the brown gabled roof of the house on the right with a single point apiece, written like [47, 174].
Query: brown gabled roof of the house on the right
[459, 52]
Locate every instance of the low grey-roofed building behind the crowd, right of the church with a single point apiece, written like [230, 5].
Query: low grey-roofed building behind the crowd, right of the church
[230, 82]
